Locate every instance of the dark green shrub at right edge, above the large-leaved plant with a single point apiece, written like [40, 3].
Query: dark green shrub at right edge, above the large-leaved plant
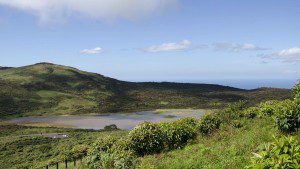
[288, 116]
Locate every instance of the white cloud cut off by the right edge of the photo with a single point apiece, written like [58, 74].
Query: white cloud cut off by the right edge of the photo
[288, 55]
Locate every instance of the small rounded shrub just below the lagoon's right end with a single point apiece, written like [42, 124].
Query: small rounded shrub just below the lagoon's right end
[208, 123]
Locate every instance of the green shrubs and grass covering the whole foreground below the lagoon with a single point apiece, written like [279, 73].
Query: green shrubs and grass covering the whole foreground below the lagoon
[264, 136]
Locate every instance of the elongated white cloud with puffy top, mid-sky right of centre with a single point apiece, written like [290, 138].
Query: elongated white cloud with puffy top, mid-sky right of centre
[171, 47]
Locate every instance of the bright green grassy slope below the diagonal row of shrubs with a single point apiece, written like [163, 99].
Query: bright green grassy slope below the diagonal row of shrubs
[229, 148]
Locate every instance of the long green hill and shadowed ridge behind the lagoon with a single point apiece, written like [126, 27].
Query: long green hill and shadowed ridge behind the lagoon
[49, 89]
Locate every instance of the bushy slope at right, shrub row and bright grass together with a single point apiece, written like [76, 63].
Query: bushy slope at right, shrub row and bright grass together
[225, 139]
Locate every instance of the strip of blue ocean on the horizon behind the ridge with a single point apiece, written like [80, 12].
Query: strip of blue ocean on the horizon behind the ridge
[253, 83]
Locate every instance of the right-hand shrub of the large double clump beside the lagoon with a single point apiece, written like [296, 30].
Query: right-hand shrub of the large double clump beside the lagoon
[176, 134]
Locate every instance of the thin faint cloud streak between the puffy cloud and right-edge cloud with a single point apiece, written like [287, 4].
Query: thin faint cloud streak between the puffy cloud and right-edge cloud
[235, 47]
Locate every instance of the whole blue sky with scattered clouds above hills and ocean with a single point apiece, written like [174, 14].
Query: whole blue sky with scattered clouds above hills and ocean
[156, 40]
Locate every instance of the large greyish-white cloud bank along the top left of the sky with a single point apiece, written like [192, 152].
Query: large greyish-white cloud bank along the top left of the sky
[49, 11]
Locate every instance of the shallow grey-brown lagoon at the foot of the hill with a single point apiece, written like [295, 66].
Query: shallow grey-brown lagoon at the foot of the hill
[124, 121]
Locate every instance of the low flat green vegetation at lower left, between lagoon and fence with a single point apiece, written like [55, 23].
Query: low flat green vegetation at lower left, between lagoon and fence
[36, 152]
